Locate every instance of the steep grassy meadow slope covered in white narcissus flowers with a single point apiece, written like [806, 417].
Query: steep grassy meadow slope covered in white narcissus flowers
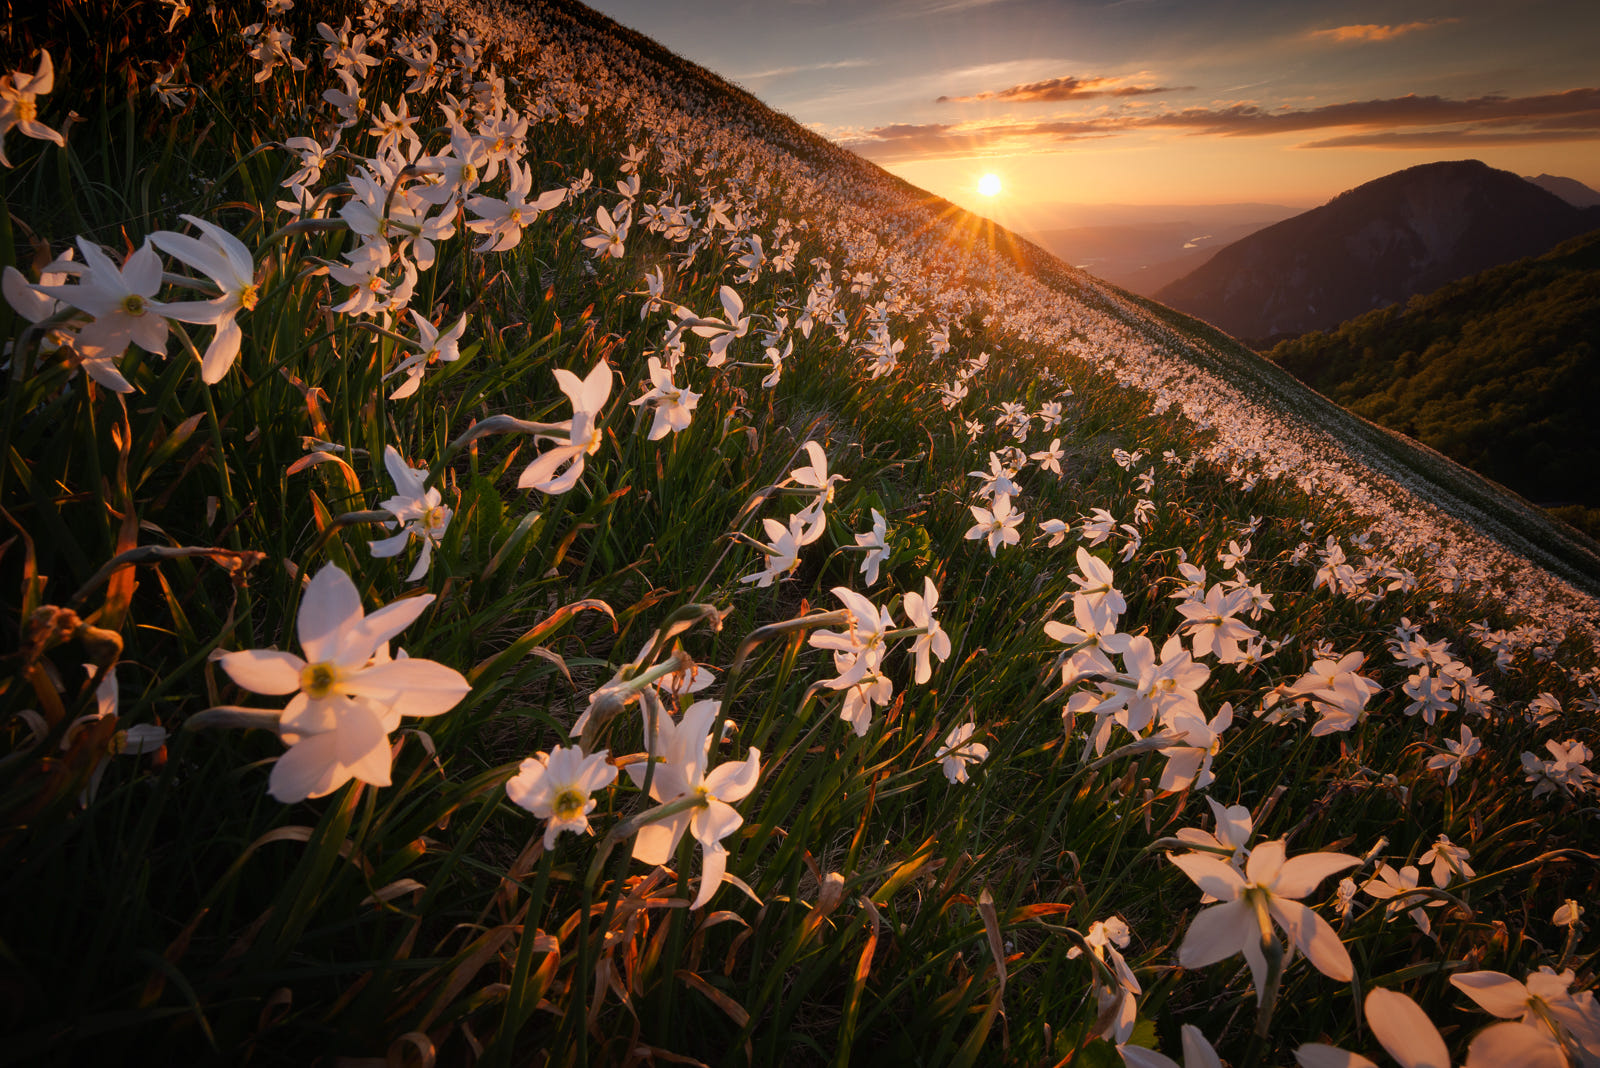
[514, 554]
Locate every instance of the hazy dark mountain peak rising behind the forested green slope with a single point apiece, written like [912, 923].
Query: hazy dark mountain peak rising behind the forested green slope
[1375, 245]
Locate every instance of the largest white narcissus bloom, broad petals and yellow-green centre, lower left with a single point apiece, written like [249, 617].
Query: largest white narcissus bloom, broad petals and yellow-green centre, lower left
[348, 693]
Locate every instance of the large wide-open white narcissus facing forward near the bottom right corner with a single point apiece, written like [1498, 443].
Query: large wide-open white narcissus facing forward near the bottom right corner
[1274, 885]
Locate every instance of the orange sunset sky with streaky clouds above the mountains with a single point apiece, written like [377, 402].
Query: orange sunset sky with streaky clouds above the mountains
[1161, 102]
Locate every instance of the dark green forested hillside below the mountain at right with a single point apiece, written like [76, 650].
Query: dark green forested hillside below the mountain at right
[1498, 372]
